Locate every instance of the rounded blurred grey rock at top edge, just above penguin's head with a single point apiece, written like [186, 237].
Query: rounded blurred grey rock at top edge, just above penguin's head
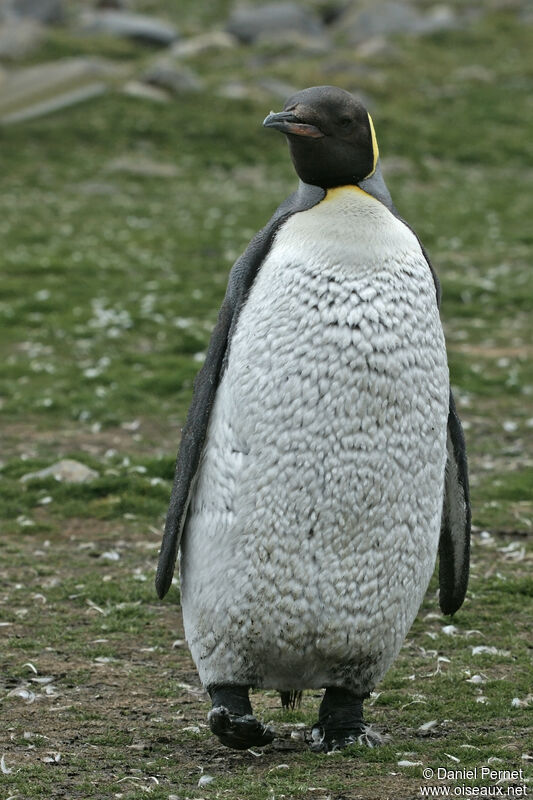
[247, 23]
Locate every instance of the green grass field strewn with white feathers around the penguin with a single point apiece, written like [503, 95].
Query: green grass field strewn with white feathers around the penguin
[111, 279]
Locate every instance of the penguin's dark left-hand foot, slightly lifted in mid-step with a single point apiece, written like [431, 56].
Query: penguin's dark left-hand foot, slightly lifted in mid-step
[232, 720]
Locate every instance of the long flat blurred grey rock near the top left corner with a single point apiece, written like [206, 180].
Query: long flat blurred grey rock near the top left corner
[130, 26]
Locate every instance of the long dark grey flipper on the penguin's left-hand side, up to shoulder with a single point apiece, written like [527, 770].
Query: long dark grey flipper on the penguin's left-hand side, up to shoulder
[205, 386]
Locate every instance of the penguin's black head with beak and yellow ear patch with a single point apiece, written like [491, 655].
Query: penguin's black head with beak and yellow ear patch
[330, 134]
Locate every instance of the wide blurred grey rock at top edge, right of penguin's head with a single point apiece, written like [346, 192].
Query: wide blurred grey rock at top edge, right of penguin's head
[370, 20]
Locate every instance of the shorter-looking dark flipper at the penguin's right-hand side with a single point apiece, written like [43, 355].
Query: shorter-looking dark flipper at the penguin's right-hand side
[454, 544]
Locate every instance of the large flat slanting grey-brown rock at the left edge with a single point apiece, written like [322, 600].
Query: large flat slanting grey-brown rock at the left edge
[33, 91]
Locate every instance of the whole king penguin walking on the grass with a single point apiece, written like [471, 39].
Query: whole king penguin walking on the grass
[322, 464]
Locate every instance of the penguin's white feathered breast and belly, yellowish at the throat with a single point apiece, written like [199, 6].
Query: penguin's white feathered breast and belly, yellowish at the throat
[314, 524]
